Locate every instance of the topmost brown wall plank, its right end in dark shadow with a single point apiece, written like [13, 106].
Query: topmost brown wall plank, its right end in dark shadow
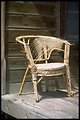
[31, 7]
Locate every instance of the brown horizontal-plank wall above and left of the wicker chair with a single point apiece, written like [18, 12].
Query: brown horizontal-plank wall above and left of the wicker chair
[26, 18]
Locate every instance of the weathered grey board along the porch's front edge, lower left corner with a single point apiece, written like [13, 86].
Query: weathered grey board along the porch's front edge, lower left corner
[21, 113]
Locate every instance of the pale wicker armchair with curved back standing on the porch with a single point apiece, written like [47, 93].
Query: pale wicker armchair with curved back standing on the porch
[38, 50]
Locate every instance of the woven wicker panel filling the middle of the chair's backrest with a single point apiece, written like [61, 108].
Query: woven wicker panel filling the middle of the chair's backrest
[44, 46]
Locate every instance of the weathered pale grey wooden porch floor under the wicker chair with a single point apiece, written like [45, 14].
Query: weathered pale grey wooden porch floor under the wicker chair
[50, 107]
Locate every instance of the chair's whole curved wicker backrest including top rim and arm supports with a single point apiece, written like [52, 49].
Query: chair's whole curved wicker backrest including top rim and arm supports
[42, 46]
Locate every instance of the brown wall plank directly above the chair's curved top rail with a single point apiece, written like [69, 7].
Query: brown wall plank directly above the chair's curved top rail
[13, 33]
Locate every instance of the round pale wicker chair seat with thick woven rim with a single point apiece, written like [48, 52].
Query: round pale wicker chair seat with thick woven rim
[50, 69]
